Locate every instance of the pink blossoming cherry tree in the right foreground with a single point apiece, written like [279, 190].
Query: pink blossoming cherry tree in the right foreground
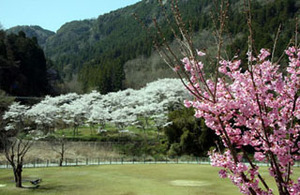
[257, 108]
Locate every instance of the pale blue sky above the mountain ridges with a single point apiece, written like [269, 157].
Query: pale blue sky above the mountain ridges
[52, 14]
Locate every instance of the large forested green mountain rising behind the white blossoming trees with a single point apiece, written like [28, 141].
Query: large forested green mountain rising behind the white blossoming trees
[114, 52]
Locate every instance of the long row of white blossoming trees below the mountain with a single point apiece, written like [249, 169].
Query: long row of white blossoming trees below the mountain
[123, 108]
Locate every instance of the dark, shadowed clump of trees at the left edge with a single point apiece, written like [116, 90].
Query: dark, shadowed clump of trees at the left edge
[22, 66]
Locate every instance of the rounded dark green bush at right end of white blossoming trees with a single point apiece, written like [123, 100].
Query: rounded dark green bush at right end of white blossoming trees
[188, 135]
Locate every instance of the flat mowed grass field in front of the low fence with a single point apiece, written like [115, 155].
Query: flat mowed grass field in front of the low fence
[138, 179]
